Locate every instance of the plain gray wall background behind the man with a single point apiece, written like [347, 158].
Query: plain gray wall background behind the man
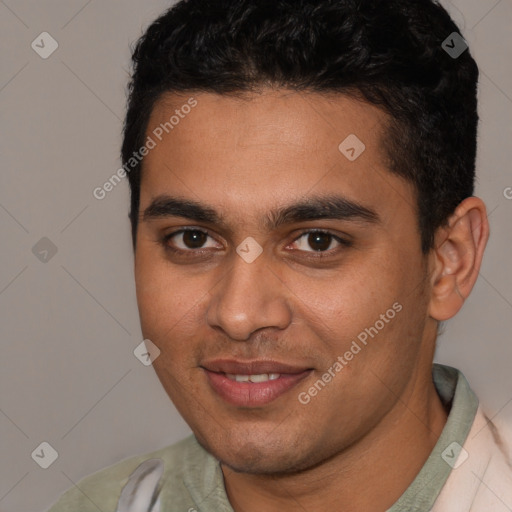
[68, 326]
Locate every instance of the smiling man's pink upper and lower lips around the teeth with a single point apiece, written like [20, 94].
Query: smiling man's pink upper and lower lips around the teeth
[247, 394]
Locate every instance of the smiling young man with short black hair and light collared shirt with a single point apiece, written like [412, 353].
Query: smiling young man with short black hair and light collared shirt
[301, 177]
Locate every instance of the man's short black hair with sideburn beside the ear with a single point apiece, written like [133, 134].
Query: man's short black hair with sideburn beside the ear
[387, 52]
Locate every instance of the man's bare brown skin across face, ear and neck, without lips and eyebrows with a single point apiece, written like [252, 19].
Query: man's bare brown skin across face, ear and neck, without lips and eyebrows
[245, 157]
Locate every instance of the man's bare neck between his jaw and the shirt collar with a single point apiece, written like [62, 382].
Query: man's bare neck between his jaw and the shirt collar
[370, 475]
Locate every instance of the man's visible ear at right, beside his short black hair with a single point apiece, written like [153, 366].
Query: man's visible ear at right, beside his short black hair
[456, 258]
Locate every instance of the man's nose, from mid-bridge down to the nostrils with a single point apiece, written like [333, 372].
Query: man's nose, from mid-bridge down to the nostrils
[250, 297]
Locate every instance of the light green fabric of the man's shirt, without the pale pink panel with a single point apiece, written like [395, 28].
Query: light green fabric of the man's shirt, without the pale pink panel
[193, 478]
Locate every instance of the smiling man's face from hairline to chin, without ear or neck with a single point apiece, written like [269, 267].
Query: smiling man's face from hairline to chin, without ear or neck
[263, 168]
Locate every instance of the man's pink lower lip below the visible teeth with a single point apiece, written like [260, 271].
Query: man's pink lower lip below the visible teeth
[248, 394]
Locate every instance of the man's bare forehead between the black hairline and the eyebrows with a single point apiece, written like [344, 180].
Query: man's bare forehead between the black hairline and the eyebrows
[268, 147]
